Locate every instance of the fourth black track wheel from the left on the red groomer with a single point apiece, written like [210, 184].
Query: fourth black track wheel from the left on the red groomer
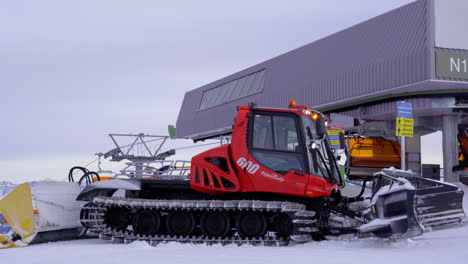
[215, 224]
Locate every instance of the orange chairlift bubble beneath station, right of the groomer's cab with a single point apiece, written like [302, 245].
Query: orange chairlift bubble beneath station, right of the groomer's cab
[374, 152]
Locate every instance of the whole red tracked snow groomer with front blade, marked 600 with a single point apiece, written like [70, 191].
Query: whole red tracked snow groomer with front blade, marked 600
[276, 182]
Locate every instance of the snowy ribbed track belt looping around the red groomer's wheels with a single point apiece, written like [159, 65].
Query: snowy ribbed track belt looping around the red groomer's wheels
[92, 217]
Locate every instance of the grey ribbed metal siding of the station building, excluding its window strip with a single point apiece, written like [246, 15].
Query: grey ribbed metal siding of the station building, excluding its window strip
[380, 54]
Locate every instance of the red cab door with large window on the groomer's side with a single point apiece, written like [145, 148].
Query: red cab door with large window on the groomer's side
[277, 153]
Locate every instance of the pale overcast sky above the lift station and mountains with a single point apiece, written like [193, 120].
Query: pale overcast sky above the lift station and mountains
[73, 71]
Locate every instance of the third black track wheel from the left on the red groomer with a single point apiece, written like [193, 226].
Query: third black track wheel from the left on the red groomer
[180, 223]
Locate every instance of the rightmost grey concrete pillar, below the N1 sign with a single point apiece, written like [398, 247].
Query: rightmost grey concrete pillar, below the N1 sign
[450, 146]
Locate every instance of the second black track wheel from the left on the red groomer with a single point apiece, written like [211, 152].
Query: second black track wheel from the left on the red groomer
[146, 222]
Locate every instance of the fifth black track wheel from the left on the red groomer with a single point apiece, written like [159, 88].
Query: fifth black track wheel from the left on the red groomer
[251, 224]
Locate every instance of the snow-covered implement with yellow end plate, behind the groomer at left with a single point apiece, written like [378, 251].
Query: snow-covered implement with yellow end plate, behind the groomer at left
[45, 212]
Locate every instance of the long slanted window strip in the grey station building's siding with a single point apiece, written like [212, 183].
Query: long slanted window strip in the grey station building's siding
[233, 90]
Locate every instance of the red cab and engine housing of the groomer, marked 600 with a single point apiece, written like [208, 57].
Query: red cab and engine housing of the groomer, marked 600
[272, 151]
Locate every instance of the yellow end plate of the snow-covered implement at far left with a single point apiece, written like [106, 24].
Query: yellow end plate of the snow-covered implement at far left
[18, 211]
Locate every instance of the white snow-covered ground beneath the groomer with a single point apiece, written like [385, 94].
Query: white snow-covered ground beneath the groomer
[433, 247]
